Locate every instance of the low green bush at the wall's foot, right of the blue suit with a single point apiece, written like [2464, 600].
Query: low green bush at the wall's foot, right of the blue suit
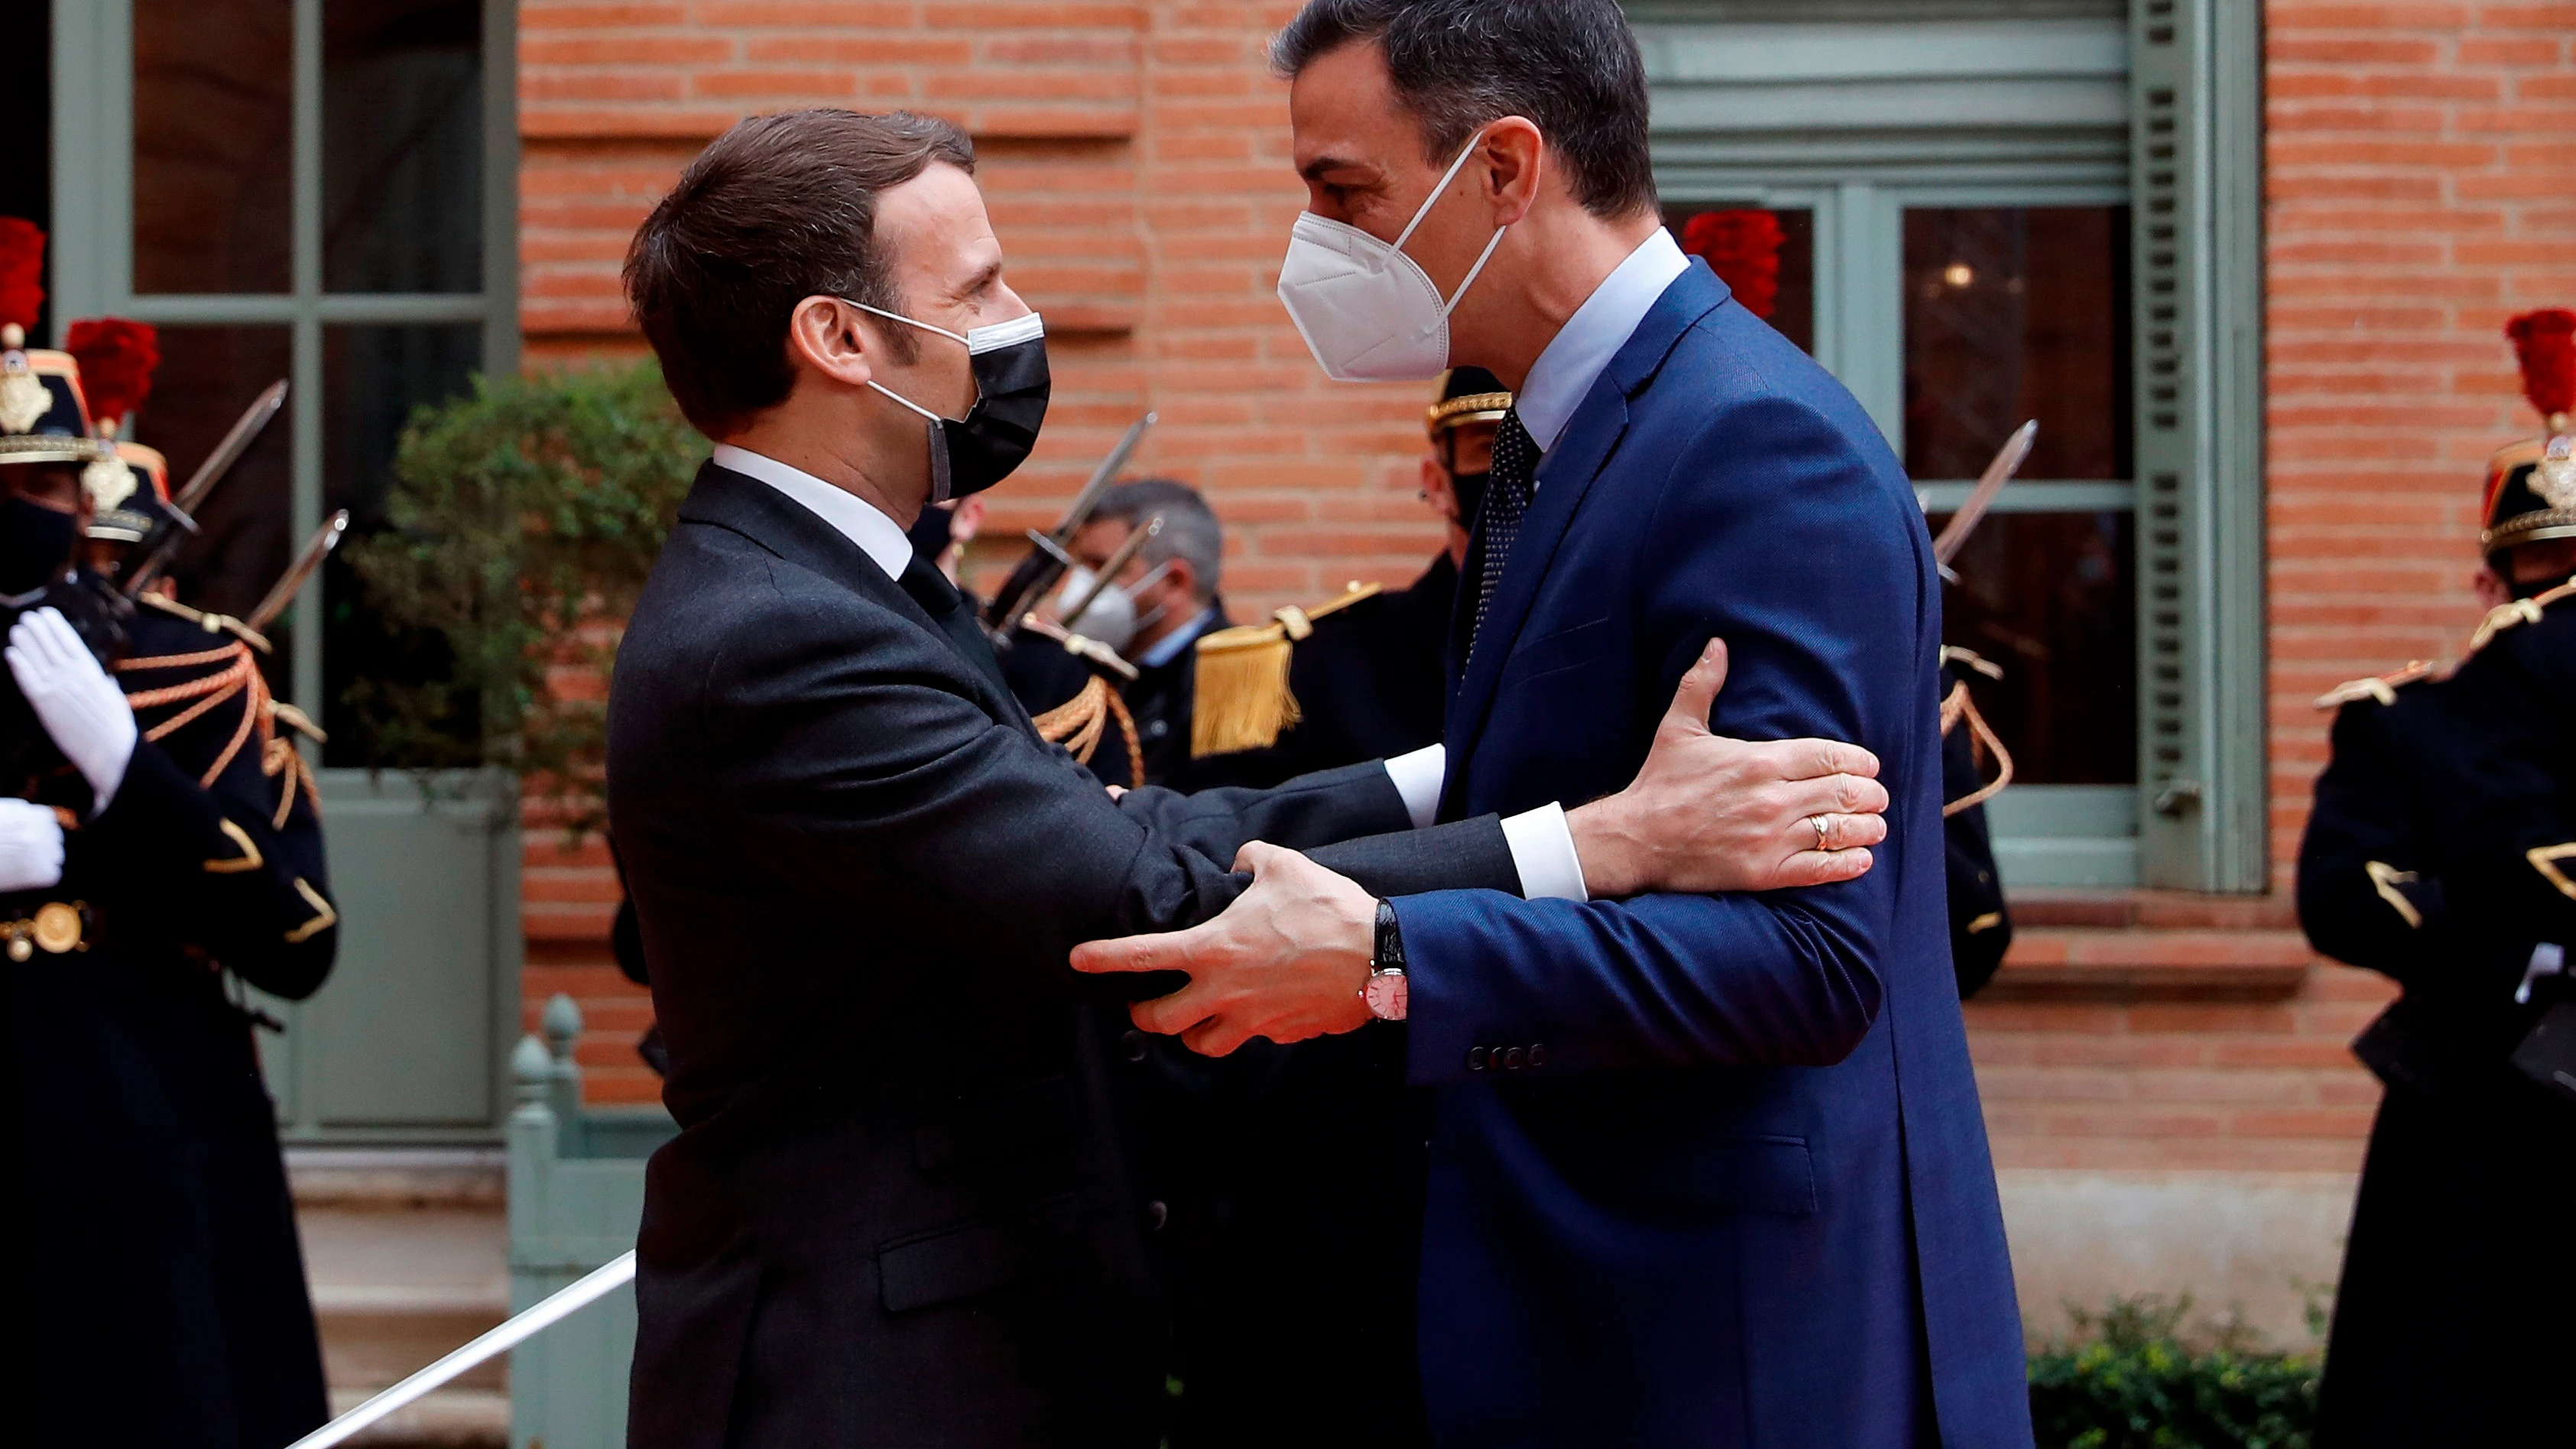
[2134, 1383]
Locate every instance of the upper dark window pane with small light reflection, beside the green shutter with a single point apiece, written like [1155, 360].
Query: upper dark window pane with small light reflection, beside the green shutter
[2018, 313]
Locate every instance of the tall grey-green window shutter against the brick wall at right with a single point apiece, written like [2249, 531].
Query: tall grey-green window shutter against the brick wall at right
[2196, 151]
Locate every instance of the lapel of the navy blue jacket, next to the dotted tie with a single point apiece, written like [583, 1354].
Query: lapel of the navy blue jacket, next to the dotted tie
[1565, 477]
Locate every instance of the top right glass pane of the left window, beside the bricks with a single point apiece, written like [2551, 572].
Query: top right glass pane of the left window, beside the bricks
[403, 145]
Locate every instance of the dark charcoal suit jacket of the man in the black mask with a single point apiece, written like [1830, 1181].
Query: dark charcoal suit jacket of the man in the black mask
[900, 1206]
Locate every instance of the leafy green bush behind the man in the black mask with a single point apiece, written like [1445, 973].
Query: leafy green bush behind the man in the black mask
[522, 526]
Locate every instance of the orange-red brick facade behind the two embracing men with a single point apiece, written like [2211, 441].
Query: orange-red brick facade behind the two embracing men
[2420, 189]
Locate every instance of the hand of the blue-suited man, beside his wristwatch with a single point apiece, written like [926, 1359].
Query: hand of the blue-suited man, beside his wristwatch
[1284, 961]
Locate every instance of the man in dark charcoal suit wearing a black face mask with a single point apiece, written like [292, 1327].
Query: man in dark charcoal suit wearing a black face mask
[900, 1208]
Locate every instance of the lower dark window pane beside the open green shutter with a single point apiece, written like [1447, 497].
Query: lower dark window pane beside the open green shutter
[2052, 601]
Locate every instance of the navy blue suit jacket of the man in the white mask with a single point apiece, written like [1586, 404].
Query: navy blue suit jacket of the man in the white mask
[1709, 1170]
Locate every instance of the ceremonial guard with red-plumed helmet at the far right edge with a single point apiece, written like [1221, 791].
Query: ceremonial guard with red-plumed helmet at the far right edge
[2433, 856]
